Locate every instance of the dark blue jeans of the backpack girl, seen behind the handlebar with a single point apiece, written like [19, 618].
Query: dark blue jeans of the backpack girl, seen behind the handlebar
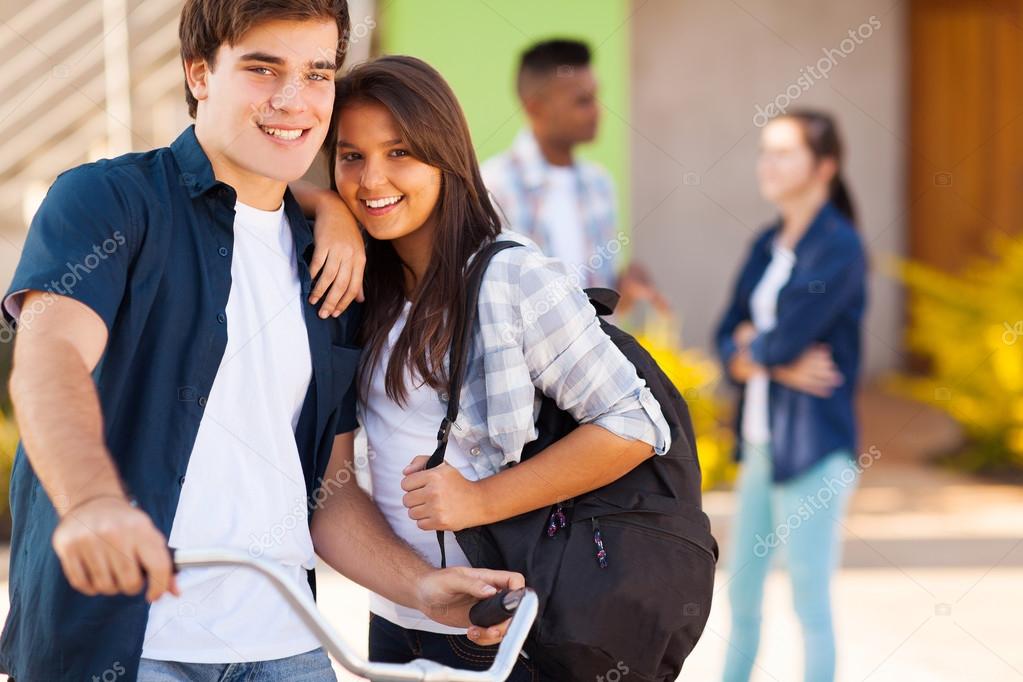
[392, 644]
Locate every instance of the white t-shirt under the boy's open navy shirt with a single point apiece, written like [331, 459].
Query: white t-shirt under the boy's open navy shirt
[245, 487]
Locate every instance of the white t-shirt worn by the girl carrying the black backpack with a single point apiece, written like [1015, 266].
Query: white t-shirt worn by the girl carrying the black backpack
[394, 436]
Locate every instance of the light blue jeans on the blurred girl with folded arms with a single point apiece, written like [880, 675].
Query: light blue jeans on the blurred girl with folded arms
[804, 517]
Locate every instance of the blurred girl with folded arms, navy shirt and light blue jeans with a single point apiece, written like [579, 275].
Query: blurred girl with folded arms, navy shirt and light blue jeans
[791, 340]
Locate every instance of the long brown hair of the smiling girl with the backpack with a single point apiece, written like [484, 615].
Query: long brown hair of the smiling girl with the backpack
[432, 124]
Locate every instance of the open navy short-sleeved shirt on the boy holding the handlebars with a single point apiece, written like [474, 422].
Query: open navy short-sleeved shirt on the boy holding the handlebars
[146, 241]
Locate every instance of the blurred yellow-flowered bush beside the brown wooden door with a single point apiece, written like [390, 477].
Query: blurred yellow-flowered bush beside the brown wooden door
[969, 328]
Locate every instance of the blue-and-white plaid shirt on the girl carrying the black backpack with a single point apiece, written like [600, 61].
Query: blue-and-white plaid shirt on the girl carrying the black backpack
[538, 335]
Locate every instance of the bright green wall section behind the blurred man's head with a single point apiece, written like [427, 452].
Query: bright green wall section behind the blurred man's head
[476, 46]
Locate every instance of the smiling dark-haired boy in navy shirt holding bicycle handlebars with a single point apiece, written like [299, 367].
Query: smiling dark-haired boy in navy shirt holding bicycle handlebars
[174, 384]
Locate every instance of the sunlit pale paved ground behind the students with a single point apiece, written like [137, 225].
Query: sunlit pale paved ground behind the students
[931, 586]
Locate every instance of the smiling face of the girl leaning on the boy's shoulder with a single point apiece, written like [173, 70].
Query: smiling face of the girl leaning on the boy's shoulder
[390, 193]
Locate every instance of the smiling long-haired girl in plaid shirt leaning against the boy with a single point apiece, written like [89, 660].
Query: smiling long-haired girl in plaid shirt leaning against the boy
[404, 163]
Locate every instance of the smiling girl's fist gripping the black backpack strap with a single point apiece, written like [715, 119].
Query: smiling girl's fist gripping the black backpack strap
[440, 499]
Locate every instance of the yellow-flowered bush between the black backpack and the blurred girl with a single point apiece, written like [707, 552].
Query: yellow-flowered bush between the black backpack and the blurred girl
[696, 377]
